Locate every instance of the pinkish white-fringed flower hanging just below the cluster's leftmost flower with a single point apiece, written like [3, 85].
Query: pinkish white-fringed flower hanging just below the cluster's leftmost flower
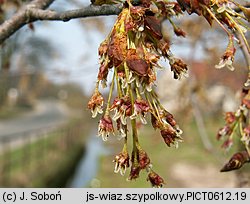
[105, 127]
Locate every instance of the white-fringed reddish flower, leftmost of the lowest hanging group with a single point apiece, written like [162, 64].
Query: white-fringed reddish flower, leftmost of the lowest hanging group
[121, 162]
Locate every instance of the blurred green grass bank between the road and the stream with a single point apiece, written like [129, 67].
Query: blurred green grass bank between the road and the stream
[48, 161]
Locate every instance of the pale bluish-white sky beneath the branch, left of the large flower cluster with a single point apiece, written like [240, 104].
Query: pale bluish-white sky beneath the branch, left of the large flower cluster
[76, 48]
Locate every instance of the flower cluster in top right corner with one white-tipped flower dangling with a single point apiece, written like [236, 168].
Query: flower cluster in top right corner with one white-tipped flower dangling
[224, 12]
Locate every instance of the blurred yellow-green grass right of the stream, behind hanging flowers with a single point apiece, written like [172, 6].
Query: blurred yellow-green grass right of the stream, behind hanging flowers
[163, 158]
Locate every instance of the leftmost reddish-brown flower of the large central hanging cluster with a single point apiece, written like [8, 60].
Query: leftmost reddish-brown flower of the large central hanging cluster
[95, 103]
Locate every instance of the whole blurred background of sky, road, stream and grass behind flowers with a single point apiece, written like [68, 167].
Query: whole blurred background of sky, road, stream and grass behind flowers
[47, 136]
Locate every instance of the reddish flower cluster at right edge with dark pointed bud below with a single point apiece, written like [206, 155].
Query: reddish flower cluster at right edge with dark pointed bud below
[237, 123]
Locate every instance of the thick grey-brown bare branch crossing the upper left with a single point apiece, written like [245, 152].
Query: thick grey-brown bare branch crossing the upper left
[34, 11]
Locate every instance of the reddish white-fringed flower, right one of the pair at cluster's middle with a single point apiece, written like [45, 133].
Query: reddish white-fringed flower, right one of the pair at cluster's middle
[141, 107]
